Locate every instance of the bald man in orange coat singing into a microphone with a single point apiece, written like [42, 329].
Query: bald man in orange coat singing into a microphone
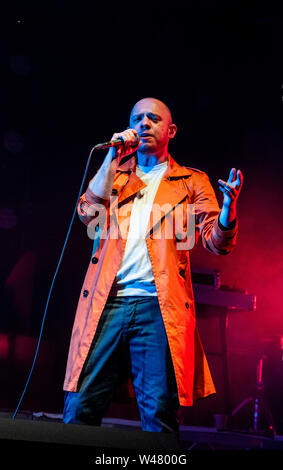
[136, 315]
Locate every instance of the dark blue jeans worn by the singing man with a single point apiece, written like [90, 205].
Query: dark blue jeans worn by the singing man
[130, 341]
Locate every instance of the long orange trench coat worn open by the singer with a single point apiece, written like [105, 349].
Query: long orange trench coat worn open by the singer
[171, 269]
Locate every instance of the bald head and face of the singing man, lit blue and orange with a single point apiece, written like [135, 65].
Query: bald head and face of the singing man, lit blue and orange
[152, 120]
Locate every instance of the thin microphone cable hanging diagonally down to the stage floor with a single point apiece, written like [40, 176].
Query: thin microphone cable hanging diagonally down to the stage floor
[53, 281]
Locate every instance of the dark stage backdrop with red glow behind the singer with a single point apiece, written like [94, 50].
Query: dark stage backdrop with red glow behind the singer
[70, 73]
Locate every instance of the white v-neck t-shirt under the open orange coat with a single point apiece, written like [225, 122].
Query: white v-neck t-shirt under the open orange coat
[135, 275]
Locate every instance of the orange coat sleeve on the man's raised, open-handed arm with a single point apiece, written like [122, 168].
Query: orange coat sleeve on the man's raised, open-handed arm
[214, 237]
